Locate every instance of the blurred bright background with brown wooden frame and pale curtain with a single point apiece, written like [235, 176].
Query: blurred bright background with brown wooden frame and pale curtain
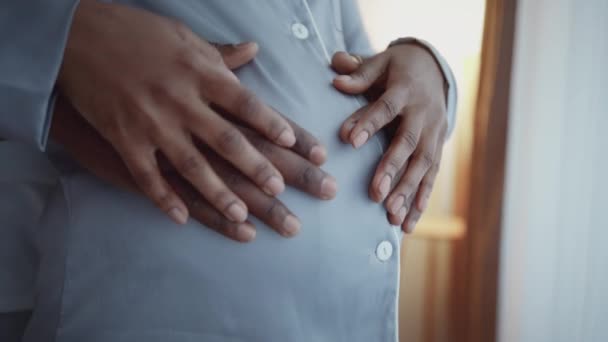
[512, 246]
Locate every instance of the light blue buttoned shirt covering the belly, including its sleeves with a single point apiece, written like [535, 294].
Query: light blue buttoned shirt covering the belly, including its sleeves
[112, 267]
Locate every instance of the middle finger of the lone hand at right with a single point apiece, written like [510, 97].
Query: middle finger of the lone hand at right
[402, 146]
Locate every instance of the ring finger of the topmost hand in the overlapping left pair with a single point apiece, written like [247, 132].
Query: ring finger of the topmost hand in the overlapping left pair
[194, 167]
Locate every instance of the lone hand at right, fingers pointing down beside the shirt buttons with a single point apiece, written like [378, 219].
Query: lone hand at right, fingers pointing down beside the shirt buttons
[405, 87]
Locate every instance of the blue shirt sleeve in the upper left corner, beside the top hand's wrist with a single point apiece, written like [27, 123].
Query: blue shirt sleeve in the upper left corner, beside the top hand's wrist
[33, 34]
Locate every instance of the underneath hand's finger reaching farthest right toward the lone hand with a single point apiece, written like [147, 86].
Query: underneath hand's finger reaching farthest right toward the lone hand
[298, 172]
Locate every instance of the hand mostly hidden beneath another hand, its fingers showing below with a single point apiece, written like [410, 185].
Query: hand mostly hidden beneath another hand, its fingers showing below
[98, 156]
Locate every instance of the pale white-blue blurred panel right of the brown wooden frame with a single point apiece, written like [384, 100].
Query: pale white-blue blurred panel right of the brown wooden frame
[554, 257]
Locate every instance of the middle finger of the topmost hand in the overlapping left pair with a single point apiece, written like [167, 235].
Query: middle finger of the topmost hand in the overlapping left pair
[228, 141]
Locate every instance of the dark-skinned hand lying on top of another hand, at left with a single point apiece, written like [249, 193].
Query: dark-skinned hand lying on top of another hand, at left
[147, 83]
